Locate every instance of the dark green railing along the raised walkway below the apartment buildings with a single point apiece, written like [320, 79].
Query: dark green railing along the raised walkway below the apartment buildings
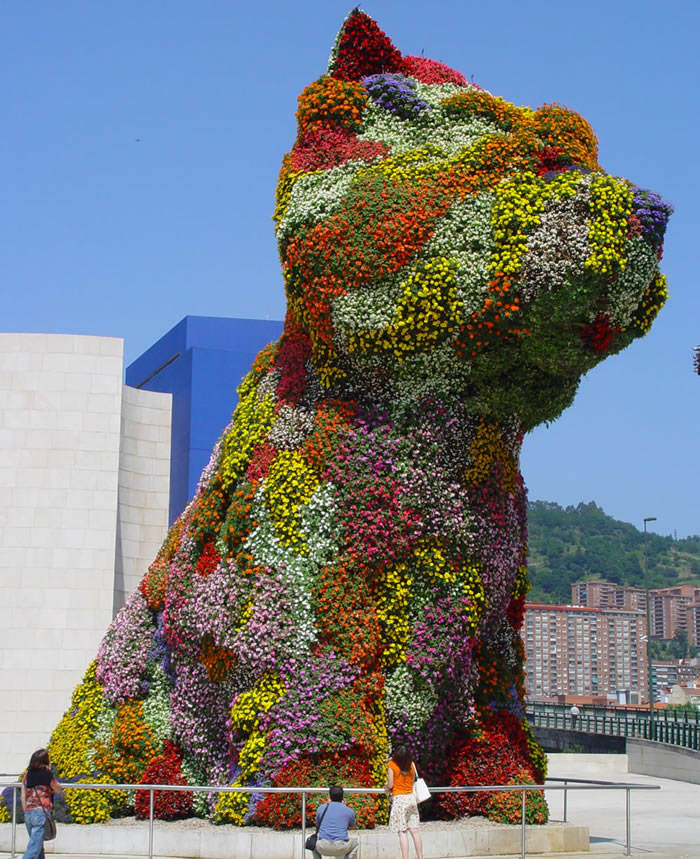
[676, 730]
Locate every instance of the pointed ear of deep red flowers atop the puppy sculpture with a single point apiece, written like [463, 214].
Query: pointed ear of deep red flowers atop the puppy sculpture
[362, 49]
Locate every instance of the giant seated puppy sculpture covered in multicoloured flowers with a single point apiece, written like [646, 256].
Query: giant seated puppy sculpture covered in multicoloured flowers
[352, 569]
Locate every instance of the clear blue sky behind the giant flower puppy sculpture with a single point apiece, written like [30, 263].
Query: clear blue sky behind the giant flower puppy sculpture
[142, 141]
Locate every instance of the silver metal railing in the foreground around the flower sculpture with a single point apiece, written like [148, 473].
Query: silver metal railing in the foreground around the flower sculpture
[566, 786]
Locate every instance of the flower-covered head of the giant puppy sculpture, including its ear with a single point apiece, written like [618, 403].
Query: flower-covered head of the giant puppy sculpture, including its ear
[440, 239]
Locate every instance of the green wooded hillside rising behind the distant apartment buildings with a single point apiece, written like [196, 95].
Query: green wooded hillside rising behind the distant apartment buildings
[569, 544]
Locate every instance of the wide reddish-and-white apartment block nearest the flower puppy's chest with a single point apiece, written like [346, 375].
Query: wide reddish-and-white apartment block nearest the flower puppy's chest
[581, 651]
